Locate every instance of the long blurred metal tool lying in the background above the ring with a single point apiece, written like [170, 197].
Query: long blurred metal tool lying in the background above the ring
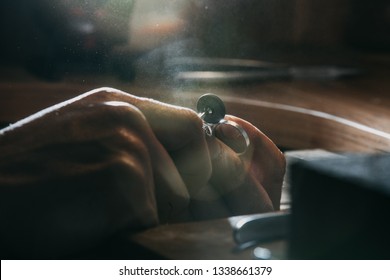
[218, 70]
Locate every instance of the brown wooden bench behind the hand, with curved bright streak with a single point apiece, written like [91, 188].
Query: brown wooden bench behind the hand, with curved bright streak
[338, 115]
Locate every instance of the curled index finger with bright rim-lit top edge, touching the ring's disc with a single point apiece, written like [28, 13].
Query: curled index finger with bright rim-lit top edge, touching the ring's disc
[178, 129]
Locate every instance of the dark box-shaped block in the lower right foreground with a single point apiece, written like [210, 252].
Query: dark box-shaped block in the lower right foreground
[341, 208]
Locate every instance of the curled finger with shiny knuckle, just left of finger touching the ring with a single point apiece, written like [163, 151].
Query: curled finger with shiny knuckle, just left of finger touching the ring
[171, 192]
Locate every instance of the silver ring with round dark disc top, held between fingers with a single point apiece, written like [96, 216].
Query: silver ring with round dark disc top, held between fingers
[211, 110]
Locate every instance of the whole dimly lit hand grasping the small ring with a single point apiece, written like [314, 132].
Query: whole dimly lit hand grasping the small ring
[77, 172]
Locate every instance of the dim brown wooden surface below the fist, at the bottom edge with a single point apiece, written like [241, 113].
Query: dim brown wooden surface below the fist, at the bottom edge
[207, 240]
